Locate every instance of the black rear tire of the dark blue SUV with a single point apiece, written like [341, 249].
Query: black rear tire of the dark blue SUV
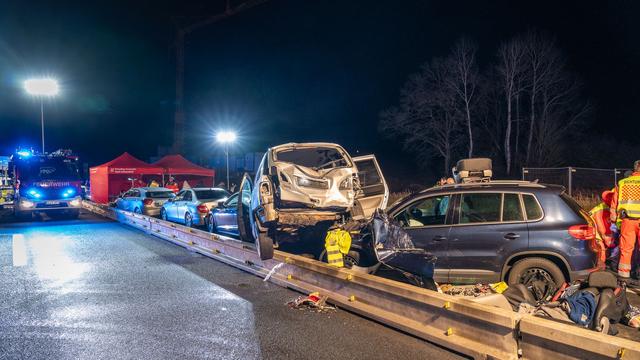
[525, 270]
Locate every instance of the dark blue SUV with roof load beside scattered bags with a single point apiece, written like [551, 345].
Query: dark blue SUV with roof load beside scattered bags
[516, 231]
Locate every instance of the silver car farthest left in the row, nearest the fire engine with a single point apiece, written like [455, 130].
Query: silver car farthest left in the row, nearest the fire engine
[144, 200]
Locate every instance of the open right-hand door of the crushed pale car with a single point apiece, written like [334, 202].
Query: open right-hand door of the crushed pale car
[374, 192]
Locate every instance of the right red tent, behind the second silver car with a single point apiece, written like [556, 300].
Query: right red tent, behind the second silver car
[182, 169]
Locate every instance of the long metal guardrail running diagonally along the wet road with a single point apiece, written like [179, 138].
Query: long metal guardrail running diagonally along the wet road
[477, 330]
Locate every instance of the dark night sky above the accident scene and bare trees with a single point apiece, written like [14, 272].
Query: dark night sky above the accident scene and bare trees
[284, 71]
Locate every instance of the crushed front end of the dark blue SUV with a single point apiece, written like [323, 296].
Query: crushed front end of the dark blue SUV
[394, 247]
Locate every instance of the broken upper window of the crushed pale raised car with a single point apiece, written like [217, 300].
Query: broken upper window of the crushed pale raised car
[315, 158]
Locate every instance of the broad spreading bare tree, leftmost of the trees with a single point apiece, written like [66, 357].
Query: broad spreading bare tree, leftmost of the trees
[427, 117]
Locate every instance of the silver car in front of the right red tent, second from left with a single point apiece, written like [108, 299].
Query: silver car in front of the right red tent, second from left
[191, 206]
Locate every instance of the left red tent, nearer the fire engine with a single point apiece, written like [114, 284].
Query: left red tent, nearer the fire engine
[110, 179]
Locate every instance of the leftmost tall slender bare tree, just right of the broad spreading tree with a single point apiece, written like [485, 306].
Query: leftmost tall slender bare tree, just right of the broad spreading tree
[464, 80]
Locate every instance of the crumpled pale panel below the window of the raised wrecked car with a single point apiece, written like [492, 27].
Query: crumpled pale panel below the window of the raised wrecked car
[332, 197]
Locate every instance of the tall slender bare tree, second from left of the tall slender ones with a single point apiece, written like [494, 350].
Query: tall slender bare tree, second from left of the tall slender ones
[510, 70]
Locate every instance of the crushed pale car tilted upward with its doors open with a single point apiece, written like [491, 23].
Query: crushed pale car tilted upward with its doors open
[299, 185]
